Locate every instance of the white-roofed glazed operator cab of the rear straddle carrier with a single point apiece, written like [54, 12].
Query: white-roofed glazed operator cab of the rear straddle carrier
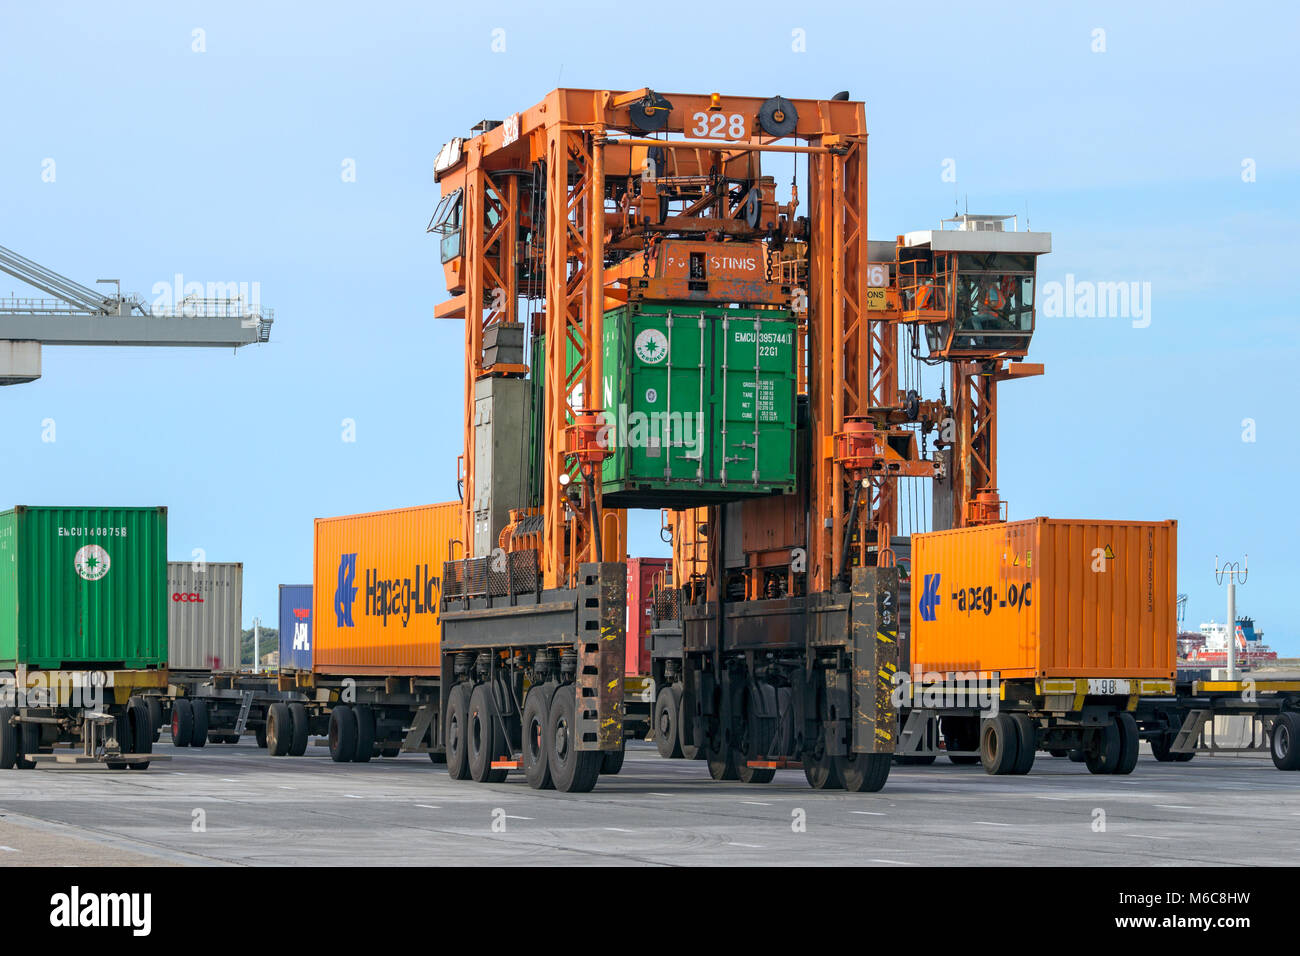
[973, 284]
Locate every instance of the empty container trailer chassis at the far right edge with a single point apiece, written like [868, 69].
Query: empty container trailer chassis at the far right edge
[1181, 728]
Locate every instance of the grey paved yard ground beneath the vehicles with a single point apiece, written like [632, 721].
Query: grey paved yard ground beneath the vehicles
[261, 811]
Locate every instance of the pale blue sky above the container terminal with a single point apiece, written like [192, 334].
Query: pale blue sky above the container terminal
[226, 166]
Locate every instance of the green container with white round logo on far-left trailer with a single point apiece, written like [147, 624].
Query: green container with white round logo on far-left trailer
[84, 587]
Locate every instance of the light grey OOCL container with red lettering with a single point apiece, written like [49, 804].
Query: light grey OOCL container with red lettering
[205, 616]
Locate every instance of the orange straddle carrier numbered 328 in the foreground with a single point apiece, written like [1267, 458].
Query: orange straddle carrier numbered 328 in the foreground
[557, 219]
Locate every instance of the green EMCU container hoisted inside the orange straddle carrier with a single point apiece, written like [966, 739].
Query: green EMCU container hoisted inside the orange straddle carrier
[700, 404]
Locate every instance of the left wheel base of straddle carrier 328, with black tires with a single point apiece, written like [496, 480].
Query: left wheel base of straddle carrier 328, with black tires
[534, 678]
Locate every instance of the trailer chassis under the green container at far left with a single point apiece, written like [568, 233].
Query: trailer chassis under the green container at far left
[103, 716]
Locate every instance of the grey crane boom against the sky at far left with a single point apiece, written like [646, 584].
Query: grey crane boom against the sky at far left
[80, 315]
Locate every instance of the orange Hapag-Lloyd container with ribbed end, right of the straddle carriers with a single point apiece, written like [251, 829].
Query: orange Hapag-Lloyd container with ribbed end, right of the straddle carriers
[1047, 599]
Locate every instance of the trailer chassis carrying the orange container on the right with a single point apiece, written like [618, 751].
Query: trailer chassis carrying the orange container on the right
[1004, 724]
